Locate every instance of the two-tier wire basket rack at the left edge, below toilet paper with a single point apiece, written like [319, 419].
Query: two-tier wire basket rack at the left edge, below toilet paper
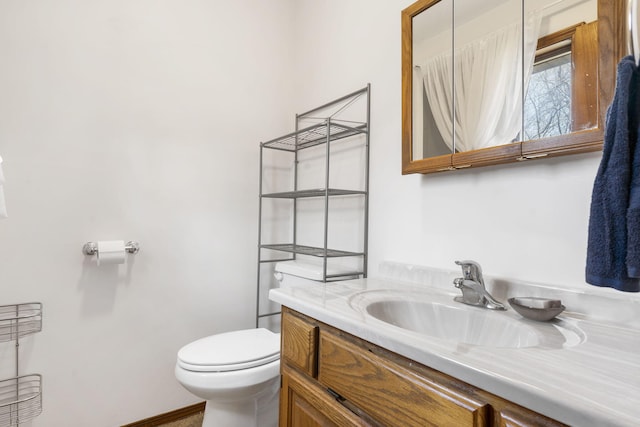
[21, 395]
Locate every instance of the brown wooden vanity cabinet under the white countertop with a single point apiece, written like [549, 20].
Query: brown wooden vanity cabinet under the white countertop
[331, 378]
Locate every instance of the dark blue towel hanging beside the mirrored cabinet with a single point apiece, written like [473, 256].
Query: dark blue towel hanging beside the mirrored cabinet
[613, 250]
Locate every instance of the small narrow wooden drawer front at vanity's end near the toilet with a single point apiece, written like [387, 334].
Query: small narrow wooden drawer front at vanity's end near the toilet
[299, 343]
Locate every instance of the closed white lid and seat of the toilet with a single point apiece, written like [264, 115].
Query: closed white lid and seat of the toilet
[231, 351]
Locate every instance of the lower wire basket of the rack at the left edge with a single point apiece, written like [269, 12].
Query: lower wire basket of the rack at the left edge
[20, 399]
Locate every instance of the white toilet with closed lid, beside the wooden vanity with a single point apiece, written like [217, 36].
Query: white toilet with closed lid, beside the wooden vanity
[238, 372]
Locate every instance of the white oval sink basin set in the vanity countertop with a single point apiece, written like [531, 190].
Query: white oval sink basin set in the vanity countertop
[450, 321]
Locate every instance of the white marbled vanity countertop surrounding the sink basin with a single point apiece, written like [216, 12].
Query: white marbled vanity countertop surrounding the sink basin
[590, 378]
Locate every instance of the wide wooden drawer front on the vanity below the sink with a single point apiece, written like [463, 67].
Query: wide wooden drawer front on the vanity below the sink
[389, 392]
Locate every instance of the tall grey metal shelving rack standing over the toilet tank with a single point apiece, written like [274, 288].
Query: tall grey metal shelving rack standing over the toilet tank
[330, 127]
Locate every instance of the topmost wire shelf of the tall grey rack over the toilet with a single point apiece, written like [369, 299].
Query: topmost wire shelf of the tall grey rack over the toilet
[314, 135]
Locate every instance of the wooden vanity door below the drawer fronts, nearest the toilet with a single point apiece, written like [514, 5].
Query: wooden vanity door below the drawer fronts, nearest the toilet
[303, 403]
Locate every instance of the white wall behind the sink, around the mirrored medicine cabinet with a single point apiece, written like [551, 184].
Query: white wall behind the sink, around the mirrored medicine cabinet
[526, 220]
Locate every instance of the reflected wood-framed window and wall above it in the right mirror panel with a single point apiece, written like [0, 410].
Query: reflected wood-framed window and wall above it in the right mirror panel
[562, 92]
